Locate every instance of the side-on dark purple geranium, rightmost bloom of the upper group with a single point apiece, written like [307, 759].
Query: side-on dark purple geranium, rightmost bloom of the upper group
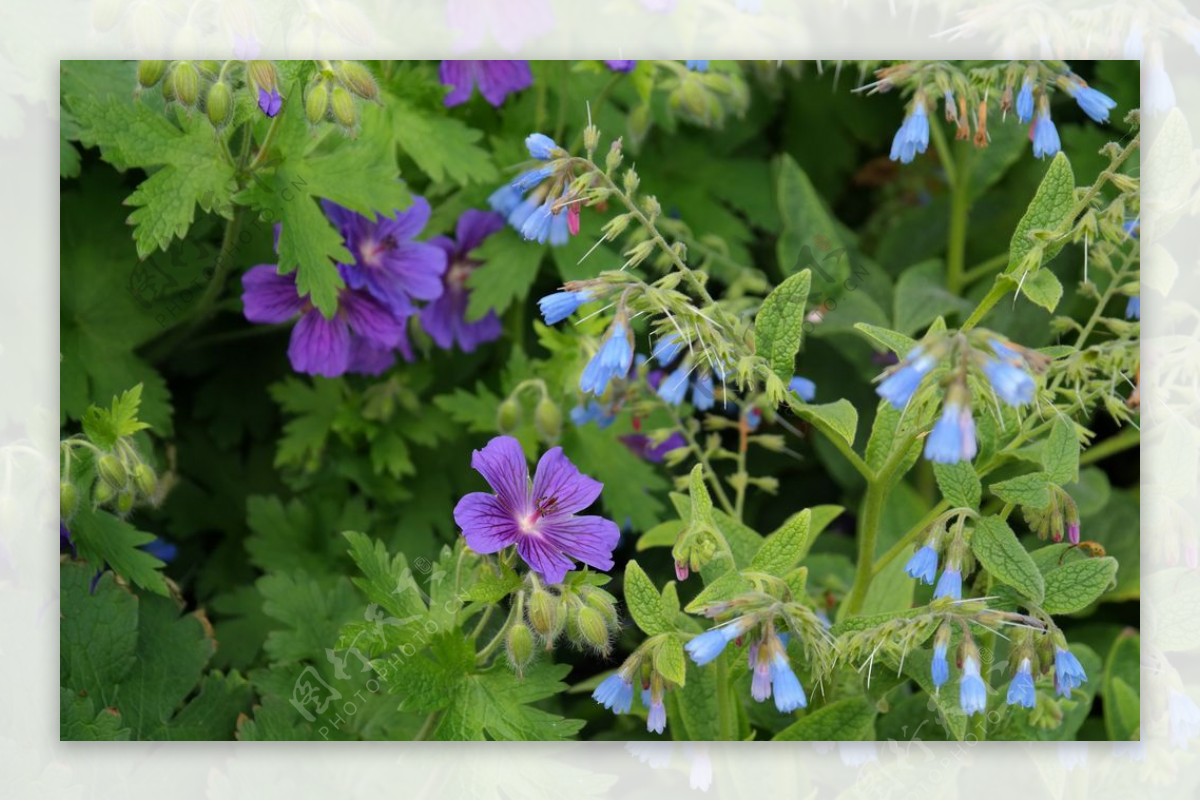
[446, 318]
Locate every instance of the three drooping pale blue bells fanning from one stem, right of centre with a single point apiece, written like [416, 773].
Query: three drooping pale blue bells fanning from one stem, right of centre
[953, 437]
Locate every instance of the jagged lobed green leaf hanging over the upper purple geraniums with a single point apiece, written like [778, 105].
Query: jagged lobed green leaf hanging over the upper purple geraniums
[359, 174]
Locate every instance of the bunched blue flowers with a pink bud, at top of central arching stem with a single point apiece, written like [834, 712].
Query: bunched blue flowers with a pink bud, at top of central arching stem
[529, 202]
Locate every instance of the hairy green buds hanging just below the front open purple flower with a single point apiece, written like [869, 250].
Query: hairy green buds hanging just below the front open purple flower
[583, 613]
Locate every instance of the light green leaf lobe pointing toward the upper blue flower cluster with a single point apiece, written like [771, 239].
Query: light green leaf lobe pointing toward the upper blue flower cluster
[441, 146]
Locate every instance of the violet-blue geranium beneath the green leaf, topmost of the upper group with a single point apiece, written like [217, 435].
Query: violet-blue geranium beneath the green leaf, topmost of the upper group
[388, 264]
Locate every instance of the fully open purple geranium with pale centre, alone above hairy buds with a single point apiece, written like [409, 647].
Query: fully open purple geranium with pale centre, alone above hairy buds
[539, 520]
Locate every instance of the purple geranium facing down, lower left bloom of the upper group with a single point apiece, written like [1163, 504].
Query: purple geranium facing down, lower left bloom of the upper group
[355, 340]
